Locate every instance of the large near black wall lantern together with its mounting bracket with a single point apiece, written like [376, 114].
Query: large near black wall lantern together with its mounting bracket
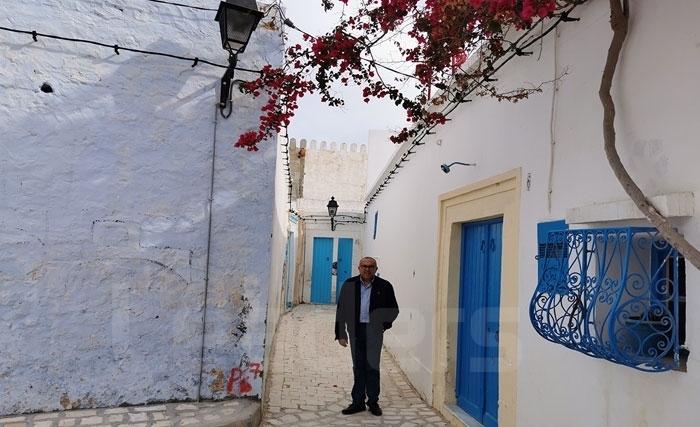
[237, 20]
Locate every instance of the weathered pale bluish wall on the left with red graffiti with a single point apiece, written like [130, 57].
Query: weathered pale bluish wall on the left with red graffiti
[104, 188]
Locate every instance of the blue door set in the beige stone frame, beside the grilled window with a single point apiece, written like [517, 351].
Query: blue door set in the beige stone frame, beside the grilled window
[477, 347]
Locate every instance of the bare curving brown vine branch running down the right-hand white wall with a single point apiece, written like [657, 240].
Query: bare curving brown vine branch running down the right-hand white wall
[619, 22]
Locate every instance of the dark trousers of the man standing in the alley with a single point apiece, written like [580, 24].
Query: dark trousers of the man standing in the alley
[366, 349]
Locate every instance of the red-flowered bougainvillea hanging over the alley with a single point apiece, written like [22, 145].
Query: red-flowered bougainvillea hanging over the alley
[436, 36]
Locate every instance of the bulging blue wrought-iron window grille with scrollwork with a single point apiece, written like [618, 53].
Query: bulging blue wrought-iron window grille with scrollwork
[611, 293]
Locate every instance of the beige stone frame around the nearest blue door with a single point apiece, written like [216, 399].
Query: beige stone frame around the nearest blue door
[498, 196]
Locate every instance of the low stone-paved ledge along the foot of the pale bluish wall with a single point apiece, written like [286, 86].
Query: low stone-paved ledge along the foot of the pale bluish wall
[232, 413]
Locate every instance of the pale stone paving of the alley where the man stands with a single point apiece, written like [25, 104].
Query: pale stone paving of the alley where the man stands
[310, 378]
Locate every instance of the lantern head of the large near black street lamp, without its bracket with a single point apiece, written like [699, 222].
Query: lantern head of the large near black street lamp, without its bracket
[237, 19]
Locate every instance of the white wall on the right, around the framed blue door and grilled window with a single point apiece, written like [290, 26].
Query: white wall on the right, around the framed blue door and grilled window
[656, 91]
